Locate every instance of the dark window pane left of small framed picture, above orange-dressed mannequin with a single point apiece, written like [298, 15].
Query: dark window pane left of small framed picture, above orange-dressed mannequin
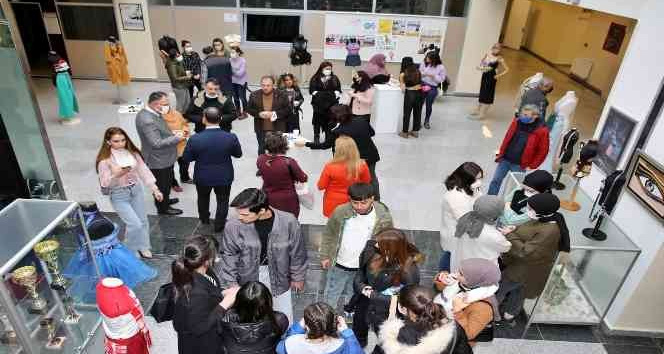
[92, 23]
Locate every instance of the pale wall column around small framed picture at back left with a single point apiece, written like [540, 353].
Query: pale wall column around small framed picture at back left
[138, 44]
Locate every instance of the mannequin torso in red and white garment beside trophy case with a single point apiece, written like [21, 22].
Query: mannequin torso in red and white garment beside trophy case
[123, 319]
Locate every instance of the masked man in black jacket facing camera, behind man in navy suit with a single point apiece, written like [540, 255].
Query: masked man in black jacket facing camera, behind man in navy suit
[211, 96]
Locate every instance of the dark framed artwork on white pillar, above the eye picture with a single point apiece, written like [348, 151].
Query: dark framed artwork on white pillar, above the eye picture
[613, 140]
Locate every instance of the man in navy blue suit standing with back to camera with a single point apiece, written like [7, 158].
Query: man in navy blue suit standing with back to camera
[212, 150]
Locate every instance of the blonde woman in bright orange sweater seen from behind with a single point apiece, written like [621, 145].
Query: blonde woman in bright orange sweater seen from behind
[342, 171]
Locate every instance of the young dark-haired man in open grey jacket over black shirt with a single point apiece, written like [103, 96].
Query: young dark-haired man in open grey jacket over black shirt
[263, 244]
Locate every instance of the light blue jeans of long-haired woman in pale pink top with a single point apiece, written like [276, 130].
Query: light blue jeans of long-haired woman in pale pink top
[129, 203]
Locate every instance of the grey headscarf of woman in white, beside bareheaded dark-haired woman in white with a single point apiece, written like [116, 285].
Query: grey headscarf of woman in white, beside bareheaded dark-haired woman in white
[486, 210]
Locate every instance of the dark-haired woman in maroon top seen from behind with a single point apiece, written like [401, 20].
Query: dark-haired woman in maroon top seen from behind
[279, 174]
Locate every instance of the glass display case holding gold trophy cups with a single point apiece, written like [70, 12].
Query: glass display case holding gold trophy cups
[44, 306]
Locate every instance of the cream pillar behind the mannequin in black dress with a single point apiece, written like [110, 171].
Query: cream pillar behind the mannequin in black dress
[485, 20]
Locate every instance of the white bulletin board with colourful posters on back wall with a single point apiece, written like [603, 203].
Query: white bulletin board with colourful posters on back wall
[395, 36]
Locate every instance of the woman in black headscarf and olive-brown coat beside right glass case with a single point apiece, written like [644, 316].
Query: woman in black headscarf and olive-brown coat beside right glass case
[535, 246]
